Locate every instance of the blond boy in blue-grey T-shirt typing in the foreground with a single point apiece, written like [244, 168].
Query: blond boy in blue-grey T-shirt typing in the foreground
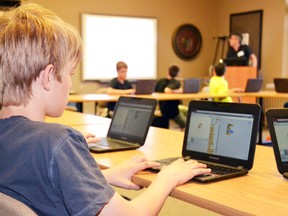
[46, 166]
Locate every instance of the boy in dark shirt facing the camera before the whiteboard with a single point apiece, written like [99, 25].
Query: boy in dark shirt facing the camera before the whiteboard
[119, 85]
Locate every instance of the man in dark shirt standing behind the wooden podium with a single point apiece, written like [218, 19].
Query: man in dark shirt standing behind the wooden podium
[238, 50]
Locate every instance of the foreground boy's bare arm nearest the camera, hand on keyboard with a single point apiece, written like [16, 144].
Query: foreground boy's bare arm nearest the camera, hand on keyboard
[152, 199]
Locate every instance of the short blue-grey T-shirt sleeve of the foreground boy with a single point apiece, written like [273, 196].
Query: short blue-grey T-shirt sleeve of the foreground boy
[77, 179]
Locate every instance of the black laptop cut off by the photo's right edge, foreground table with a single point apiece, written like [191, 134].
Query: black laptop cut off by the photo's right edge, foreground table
[278, 127]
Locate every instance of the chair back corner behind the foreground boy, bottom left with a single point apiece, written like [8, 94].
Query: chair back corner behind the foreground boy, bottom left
[11, 207]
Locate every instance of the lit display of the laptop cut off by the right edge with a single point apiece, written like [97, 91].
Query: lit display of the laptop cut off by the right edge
[281, 132]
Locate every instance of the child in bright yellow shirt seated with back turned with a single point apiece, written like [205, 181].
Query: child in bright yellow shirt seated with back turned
[219, 85]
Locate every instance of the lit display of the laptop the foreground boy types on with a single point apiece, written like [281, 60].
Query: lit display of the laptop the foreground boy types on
[218, 133]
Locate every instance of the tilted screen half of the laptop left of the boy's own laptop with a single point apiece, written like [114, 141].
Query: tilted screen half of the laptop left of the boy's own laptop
[131, 120]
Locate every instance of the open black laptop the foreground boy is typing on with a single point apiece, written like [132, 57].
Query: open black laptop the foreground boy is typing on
[220, 135]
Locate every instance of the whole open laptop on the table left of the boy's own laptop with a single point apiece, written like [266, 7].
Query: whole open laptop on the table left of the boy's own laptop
[129, 125]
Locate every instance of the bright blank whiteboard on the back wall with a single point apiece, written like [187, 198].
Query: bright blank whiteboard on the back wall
[109, 39]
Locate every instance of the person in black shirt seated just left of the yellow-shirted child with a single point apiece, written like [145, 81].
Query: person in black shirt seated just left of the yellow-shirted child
[169, 109]
